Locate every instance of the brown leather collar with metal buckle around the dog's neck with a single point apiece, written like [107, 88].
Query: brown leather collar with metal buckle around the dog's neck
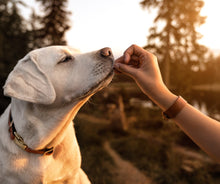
[20, 142]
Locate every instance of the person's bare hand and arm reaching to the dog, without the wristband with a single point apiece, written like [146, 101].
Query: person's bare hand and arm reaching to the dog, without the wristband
[142, 66]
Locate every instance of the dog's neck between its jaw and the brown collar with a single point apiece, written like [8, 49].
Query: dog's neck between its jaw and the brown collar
[43, 126]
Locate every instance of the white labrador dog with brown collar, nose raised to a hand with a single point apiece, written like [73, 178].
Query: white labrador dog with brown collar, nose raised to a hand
[48, 87]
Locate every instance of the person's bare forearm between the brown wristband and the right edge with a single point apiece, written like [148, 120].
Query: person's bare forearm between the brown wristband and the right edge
[204, 131]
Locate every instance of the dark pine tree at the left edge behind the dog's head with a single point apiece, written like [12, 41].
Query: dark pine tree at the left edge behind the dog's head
[13, 35]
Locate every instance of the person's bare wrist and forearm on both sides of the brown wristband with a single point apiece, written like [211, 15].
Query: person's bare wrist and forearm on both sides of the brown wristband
[204, 131]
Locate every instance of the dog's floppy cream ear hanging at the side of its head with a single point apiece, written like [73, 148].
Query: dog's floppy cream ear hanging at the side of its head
[29, 83]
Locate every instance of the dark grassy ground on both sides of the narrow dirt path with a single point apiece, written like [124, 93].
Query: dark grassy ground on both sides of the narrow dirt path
[148, 145]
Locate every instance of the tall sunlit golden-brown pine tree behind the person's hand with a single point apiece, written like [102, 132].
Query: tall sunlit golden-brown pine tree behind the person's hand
[174, 37]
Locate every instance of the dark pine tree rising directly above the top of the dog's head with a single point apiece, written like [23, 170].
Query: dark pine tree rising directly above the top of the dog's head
[54, 23]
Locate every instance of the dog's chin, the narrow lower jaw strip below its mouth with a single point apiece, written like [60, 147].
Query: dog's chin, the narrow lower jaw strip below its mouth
[98, 86]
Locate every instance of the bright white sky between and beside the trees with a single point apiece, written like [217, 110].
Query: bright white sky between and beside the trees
[120, 23]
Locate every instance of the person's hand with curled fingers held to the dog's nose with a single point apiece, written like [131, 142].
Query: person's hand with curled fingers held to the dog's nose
[143, 67]
